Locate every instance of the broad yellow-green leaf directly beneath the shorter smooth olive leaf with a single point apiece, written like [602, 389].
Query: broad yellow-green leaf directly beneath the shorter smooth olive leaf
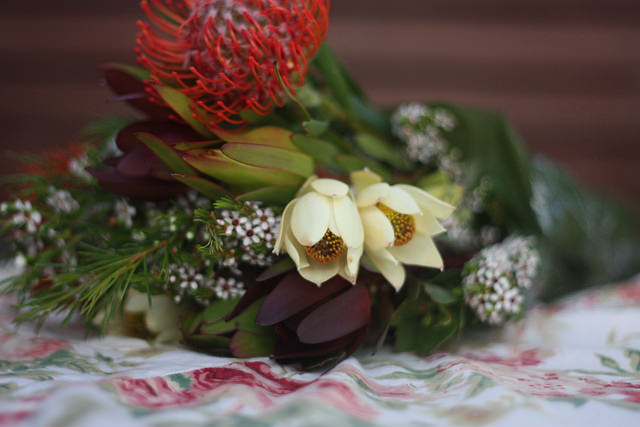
[239, 176]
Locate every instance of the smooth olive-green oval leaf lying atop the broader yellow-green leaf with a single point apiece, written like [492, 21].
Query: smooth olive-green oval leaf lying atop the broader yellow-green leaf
[270, 157]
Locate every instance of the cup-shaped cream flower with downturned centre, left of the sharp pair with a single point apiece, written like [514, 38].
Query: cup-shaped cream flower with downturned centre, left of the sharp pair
[321, 231]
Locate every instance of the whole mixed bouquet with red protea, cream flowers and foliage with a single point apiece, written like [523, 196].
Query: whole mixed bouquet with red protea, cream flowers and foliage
[260, 206]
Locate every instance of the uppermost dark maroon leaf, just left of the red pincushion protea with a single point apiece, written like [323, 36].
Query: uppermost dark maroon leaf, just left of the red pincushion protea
[132, 90]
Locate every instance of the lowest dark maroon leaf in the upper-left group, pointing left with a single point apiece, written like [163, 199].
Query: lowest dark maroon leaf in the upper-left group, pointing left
[141, 188]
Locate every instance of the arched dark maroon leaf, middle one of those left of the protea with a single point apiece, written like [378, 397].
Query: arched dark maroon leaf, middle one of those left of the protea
[168, 131]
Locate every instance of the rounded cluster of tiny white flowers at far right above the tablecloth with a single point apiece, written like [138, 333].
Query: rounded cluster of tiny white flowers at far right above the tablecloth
[494, 279]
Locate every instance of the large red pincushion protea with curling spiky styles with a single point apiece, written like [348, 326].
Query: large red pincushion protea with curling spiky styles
[223, 54]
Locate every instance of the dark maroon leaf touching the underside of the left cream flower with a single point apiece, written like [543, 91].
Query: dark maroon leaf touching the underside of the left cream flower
[292, 295]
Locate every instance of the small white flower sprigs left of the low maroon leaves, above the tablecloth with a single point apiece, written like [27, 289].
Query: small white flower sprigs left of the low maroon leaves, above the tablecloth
[201, 284]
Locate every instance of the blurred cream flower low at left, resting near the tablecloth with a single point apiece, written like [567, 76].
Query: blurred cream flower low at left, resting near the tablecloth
[158, 322]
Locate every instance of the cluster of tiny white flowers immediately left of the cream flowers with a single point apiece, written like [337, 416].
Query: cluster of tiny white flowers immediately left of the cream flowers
[253, 232]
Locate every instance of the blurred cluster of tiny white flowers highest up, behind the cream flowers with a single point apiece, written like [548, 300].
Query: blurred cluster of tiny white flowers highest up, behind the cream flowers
[421, 127]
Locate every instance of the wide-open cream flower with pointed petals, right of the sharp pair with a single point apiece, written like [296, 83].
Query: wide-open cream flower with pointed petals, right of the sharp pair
[398, 221]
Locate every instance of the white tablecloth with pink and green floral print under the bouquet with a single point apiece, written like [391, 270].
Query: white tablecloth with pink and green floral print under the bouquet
[573, 363]
